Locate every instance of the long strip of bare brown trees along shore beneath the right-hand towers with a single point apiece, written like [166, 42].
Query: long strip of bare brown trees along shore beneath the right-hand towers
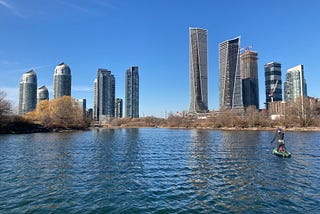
[300, 113]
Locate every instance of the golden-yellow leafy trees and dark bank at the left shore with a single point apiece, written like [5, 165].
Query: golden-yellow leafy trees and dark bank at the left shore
[61, 113]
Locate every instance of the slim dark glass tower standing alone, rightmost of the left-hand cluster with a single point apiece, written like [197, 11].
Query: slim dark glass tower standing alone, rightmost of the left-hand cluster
[132, 92]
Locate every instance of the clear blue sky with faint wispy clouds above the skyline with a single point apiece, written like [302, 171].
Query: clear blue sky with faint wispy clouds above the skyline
[154, 35]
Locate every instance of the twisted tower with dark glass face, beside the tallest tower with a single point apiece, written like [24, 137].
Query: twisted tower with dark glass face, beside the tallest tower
[230, 74]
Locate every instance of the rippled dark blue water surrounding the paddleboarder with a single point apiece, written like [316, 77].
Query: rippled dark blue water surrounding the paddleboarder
[158, 171]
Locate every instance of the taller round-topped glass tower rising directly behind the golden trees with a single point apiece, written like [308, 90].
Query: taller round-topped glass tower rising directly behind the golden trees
[62, 81]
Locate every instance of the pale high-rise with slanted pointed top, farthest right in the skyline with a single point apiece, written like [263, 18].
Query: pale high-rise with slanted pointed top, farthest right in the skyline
[295, 85]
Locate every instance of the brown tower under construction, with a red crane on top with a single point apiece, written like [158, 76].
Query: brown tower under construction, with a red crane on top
[250, 86]
